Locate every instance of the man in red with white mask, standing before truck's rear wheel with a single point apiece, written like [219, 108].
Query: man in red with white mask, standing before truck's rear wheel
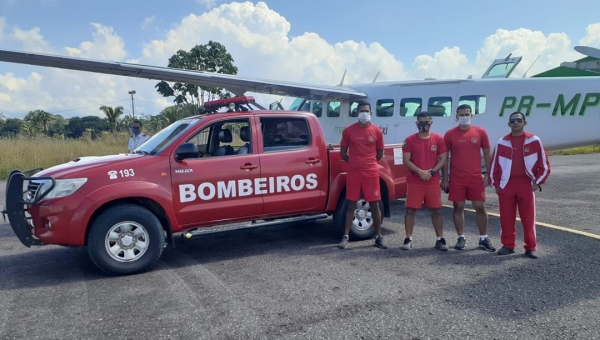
[365, 141]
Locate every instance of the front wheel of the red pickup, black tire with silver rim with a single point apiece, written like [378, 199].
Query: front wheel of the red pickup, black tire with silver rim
[139, 236]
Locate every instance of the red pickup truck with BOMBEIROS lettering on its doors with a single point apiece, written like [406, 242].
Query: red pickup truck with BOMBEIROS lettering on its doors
[199, 172]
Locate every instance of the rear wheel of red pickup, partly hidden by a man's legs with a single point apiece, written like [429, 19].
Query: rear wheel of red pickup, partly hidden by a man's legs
[362, 225]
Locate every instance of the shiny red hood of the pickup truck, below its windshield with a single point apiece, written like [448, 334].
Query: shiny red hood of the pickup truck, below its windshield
[86, 163]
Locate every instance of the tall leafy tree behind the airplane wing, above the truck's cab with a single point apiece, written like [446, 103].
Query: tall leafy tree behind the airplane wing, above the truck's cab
[211, 57]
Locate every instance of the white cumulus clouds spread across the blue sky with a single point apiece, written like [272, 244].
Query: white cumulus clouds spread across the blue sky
[259, 40]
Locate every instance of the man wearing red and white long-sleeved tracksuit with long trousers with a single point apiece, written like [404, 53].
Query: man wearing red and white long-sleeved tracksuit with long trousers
[519, 166]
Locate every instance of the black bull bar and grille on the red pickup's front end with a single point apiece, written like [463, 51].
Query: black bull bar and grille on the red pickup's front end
[17, 205]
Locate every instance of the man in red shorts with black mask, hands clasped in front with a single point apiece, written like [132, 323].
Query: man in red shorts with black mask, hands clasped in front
[424, 154]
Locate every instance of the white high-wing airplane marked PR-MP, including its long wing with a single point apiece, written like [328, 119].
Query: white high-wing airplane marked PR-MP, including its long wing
[564, 112]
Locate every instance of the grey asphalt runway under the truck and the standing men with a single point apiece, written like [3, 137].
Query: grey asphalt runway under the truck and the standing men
[290, 281]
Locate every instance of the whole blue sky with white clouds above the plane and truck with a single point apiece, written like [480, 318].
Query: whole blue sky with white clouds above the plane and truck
[302, 41]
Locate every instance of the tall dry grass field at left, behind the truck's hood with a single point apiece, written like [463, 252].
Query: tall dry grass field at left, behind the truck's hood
[30, 152]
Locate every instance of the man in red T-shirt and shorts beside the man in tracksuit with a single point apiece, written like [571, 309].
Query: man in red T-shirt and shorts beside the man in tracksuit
[465, 143]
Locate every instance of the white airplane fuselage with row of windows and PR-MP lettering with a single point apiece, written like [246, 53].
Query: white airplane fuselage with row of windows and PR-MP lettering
[563, 112]
